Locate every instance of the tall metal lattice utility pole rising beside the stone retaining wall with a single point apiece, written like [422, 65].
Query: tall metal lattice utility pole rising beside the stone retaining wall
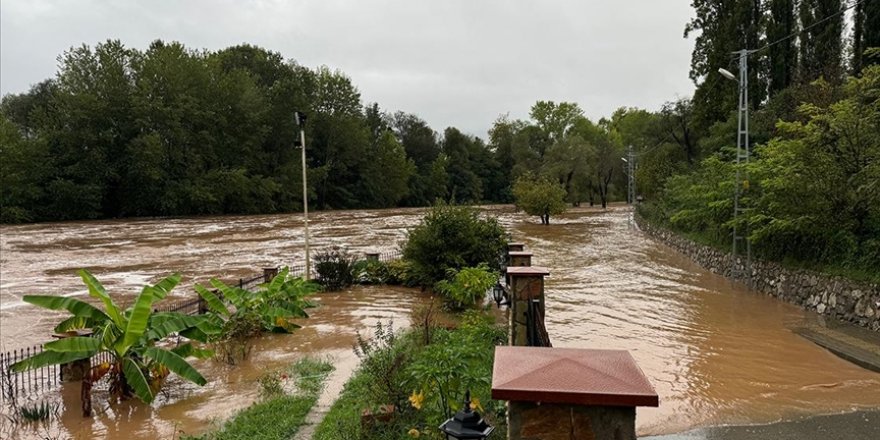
[741, 184]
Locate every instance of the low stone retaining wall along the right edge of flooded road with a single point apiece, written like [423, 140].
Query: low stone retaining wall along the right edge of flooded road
[847, 300]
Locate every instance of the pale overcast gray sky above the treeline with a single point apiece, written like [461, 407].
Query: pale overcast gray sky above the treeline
[453, 62]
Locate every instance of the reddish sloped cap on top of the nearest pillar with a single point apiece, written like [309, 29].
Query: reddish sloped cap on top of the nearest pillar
[570, 376]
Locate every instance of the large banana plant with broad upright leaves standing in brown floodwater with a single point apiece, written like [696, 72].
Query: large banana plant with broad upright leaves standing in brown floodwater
[138, 366]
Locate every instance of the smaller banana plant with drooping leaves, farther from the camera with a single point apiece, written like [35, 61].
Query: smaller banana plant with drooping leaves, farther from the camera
[277, 302]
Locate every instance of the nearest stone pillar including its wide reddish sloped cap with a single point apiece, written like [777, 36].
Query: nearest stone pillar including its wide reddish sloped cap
[564, 393]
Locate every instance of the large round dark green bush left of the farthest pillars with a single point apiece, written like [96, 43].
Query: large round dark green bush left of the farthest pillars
[453, 237]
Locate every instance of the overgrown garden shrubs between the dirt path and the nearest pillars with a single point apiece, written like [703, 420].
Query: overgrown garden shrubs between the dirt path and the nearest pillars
[433, 378]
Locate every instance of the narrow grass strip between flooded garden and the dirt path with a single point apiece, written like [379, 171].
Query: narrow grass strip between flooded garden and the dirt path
[287, 397]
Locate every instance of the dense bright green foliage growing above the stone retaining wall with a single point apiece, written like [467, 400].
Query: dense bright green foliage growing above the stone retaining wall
[813, 192]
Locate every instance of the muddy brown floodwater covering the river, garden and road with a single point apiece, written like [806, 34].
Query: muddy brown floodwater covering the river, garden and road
[716, 352]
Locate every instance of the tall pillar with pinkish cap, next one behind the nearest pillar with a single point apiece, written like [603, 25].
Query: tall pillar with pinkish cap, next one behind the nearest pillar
[526, 285]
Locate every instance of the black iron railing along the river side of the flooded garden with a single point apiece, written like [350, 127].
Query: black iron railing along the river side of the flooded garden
[40, 380]
